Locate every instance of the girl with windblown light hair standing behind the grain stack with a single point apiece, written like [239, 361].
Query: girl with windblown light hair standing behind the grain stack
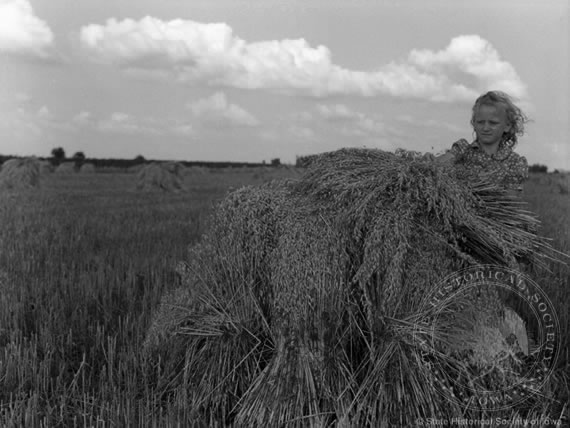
[497, 122]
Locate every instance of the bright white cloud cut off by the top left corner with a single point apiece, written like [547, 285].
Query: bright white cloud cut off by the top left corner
[22, 32]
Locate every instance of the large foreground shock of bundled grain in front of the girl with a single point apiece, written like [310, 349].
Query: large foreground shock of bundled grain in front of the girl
[301, 303]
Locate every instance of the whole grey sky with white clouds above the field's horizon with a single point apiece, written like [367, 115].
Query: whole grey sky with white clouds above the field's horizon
[254, 80]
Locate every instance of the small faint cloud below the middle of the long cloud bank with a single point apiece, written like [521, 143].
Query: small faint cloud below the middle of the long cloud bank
[217, 111]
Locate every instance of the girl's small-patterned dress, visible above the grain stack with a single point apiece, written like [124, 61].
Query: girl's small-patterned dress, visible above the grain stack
[505, 167]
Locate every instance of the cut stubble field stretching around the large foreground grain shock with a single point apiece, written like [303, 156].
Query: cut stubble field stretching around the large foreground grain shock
[84, 260]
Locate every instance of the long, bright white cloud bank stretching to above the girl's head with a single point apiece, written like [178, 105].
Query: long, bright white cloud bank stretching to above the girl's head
[212, 53]
